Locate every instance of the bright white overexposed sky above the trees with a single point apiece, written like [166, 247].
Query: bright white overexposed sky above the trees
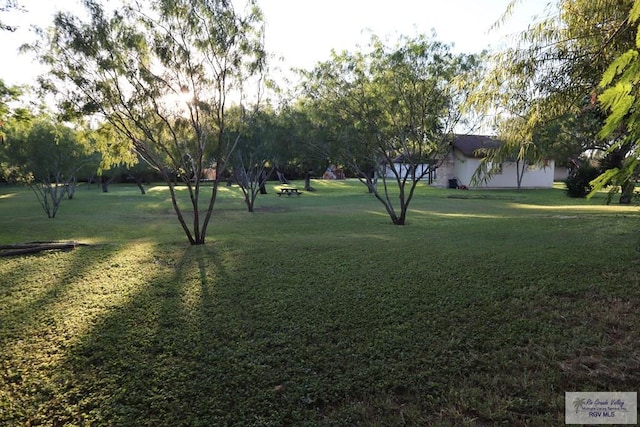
[299, 33]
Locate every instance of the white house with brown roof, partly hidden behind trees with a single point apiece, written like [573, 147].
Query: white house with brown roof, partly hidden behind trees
[465, 156]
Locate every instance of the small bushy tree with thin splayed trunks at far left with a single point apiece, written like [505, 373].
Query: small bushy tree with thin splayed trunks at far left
[47, 156]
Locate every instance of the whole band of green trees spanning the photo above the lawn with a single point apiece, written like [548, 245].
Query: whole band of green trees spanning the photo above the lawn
[179, 91]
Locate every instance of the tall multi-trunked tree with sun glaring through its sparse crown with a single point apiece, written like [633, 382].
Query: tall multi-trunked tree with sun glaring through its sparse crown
[161, 76]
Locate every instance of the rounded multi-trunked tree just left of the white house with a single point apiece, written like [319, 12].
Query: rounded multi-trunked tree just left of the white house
[400, 101]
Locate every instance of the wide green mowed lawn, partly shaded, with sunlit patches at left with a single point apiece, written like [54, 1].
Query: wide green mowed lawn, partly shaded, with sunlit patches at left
[314, 310]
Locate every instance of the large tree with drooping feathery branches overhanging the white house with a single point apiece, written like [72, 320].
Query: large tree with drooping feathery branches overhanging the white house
[543, 91]
